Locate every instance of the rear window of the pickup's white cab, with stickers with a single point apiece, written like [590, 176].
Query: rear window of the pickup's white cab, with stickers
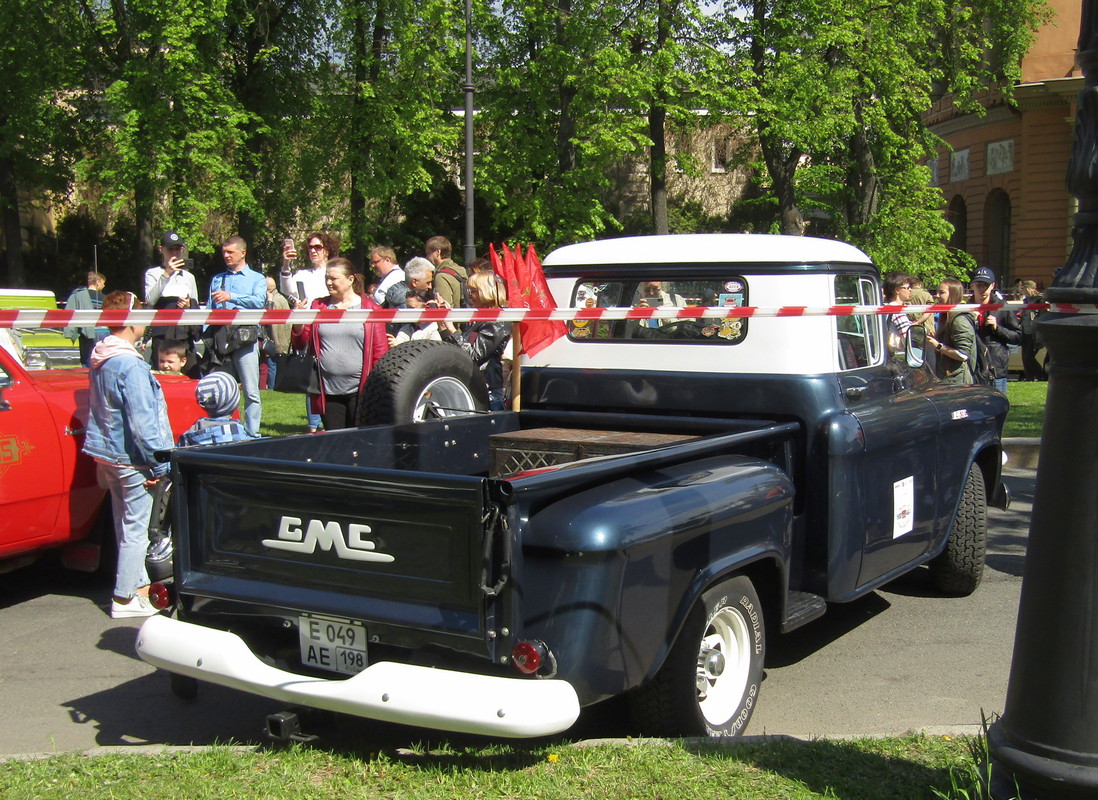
[655, 295]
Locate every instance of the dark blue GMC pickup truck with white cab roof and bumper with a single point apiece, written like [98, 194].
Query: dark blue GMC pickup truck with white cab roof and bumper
[671, 494]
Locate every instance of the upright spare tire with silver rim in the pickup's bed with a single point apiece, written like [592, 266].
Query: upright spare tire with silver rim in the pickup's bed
[420, 381]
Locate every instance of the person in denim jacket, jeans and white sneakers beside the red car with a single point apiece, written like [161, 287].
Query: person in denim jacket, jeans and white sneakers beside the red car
[128, 423]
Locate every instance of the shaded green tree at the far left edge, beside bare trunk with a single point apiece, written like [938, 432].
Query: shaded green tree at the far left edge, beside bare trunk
[40, 109]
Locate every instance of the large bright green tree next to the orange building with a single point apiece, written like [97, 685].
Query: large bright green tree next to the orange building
[835, 95]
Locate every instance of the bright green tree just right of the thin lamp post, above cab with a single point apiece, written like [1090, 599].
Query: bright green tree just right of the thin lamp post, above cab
[557, 116]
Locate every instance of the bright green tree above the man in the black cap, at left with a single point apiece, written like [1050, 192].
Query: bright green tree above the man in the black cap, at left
[171, 130]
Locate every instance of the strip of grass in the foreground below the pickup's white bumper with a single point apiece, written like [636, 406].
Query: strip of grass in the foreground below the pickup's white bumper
[913, 768]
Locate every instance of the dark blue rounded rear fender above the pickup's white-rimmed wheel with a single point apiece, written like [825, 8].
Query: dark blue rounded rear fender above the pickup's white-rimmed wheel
[611, 573]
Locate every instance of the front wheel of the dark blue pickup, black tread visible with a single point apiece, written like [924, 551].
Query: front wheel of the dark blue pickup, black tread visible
[959, 569]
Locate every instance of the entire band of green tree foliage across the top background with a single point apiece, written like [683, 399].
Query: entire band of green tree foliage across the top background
[274, 118]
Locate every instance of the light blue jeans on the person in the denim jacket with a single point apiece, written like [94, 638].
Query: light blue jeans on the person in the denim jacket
[132, 505]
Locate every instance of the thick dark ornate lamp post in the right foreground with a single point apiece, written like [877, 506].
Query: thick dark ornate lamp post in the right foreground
[1047, 741]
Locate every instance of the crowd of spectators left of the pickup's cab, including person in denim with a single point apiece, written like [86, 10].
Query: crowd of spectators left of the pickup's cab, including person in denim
[129, 418]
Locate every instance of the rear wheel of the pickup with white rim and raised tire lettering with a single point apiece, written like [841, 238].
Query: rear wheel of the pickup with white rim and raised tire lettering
[710, 684]
